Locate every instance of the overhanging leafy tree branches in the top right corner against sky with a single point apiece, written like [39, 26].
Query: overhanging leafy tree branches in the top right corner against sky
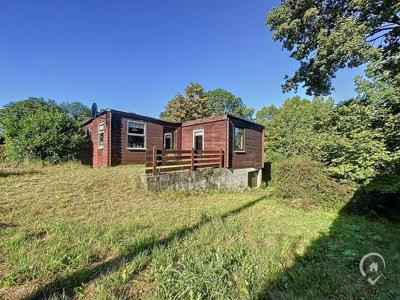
[325, 36]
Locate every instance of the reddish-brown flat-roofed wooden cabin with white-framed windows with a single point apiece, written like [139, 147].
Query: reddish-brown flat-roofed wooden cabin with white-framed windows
[122, 138]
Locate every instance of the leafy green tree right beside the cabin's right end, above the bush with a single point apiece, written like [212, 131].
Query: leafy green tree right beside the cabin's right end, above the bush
[293, 129]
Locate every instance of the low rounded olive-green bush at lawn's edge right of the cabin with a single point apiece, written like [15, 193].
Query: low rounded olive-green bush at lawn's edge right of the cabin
[306, 183]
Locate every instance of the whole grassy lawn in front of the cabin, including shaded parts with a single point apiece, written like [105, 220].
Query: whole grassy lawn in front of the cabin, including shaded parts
[74, 232]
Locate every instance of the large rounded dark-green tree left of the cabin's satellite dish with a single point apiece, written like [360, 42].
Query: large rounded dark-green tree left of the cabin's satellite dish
[39, 129]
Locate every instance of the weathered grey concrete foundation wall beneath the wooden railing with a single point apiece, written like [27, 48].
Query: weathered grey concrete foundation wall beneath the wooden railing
[205, 179]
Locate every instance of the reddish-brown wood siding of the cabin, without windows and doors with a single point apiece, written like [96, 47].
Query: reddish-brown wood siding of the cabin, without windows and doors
[218, 134]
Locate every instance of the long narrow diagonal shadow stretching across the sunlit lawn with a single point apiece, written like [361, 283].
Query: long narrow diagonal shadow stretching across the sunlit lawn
[66, 285]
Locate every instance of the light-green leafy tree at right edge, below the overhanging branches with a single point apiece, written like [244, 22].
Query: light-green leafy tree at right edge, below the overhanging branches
[365, 131]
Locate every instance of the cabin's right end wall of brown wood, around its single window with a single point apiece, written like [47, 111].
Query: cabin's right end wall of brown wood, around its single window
[254, 141]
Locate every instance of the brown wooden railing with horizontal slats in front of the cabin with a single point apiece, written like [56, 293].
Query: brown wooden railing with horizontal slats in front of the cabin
[175, 160]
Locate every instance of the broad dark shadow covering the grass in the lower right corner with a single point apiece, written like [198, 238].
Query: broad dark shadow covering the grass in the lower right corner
[329, 269]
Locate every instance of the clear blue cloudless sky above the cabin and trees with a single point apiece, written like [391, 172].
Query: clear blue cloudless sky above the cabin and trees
[136, 55]
